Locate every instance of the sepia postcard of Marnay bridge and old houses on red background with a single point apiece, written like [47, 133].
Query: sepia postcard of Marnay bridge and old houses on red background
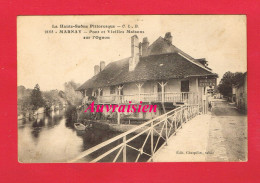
[132, 88]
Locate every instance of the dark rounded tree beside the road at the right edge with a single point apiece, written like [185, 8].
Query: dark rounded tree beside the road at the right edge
[229, 79]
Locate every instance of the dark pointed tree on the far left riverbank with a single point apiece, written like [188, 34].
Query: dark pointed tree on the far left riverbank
[36, 98]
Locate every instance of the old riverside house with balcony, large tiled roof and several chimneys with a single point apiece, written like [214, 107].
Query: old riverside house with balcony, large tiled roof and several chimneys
[157, 73]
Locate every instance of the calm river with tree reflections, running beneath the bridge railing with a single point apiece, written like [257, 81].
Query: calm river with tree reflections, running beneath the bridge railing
[50, 138]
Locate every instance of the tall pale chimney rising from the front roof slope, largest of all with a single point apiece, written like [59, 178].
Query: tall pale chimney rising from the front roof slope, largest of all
[133, 61]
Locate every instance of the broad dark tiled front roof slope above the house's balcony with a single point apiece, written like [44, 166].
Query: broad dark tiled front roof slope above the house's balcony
[153, 67]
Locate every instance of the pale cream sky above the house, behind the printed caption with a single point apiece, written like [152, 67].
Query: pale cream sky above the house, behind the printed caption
[55, 58]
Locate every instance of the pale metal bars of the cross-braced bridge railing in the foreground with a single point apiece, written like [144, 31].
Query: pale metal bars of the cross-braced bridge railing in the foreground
[164, 118]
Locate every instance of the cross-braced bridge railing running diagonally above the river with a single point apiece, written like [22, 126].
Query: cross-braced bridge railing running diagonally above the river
[157, 130]
